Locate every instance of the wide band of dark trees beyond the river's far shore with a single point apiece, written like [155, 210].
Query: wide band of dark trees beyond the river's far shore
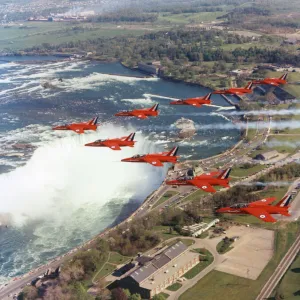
[183, 53]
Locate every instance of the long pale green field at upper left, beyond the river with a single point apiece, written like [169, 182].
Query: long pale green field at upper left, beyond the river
[36, 33]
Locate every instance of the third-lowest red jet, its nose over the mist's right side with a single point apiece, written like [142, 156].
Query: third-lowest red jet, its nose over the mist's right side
[156, 159]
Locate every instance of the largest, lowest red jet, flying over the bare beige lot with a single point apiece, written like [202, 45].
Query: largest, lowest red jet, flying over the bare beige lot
[261, 209]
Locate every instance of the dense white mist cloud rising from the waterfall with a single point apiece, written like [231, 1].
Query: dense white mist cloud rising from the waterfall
[63, 176]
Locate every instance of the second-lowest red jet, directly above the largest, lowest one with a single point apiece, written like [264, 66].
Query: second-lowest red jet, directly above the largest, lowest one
[205, 181]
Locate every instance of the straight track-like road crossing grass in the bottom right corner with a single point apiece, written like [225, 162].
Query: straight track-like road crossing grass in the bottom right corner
[280, 271]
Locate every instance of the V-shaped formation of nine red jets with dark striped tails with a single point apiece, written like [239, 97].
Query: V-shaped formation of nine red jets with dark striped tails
[206, 182]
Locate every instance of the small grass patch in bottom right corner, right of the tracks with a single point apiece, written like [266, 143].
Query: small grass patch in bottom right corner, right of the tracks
[289, 287]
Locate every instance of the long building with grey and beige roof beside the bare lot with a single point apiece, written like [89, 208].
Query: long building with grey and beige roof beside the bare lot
[153, 276]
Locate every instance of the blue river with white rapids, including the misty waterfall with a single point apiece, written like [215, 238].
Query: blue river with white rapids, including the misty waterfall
[56, 193]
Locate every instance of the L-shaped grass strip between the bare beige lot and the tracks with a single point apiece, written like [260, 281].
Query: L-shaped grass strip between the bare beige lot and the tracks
[218, 286]
